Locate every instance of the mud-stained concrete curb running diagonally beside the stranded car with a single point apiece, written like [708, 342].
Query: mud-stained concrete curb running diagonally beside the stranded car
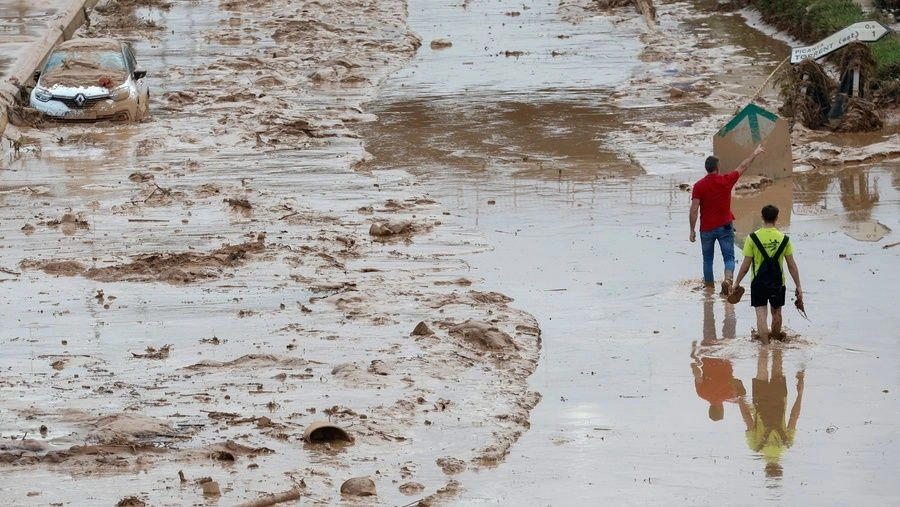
[72, 16]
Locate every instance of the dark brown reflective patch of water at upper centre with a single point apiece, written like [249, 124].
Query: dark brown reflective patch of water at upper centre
[517, 133]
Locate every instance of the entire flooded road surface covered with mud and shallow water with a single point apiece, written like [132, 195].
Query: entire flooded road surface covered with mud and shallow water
[189, 294]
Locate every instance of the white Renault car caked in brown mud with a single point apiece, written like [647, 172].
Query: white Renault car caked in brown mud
[91, 79]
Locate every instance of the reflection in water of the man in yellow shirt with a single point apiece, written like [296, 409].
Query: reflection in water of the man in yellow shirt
[767, 433]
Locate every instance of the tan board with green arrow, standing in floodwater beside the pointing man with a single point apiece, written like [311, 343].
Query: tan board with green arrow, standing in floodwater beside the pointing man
[751, 126]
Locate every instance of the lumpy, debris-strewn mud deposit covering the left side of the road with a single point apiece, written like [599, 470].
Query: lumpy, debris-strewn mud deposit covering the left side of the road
[187, 298]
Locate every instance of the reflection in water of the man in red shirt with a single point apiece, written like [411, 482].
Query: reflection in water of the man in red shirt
[713, 376]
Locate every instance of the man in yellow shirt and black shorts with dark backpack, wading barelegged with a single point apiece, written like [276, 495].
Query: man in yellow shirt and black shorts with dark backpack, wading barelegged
[767, 250]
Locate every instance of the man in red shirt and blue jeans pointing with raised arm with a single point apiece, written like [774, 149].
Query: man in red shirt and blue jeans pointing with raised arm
[711, 200]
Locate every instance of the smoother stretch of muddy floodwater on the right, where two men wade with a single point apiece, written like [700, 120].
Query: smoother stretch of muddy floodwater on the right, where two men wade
[574, 183]
